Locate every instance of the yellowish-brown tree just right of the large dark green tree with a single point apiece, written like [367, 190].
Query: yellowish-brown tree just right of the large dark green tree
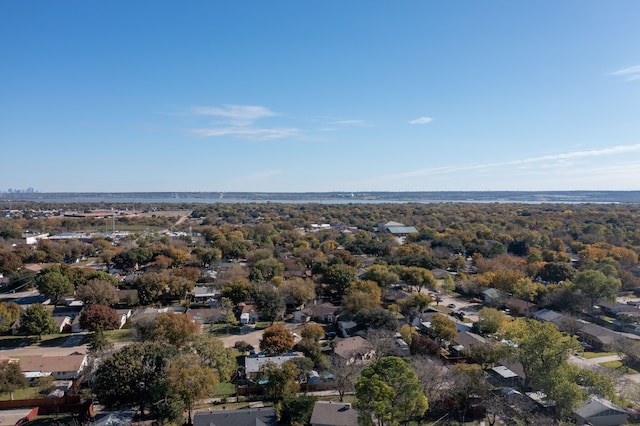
[191, 380]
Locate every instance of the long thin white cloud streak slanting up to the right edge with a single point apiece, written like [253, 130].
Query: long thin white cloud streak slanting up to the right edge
[562, 159]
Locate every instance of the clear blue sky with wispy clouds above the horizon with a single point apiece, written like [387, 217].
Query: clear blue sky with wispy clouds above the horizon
[294, 96]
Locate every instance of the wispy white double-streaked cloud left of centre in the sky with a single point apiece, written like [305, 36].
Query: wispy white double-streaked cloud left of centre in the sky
[238, 121]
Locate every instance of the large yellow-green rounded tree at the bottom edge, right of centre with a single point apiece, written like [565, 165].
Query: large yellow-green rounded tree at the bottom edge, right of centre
[391, 391]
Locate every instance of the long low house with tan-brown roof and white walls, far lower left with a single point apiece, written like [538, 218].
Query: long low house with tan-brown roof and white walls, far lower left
[60, 367]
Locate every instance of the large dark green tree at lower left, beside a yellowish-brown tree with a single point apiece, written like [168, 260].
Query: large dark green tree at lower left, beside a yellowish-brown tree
[132, 375]
